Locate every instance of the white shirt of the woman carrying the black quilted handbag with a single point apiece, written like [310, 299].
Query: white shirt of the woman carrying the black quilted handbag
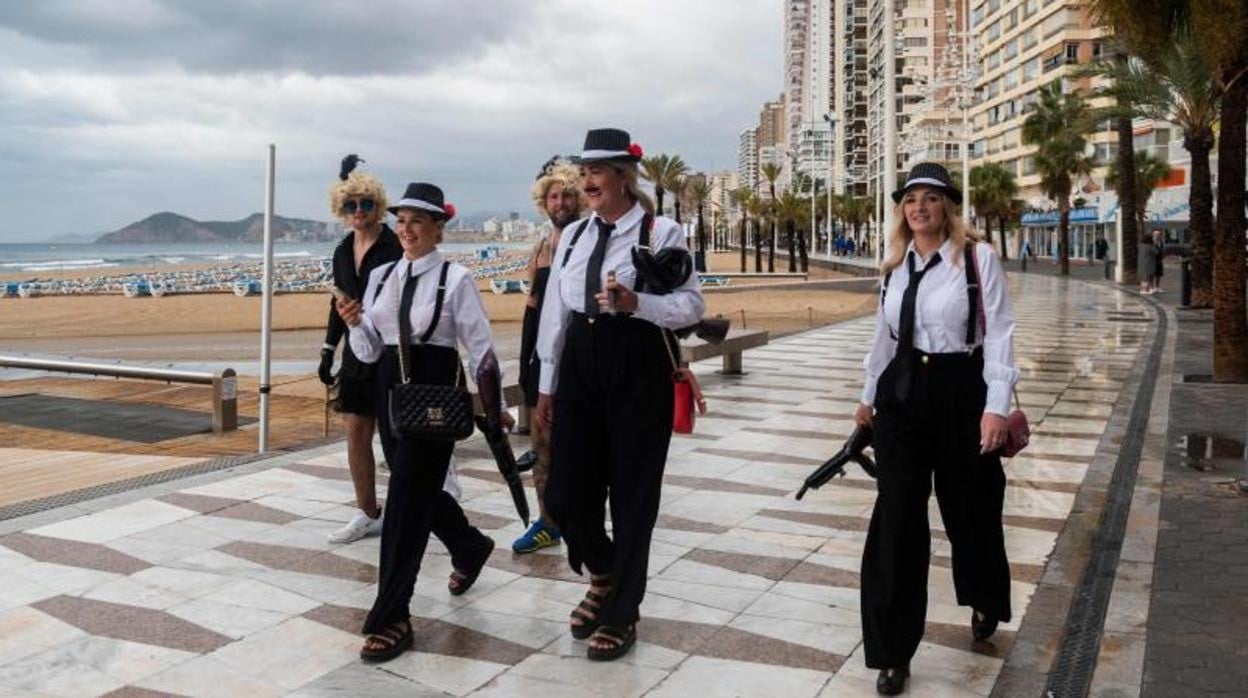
[464, 315]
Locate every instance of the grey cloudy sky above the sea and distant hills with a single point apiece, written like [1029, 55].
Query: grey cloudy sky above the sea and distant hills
[112, 111]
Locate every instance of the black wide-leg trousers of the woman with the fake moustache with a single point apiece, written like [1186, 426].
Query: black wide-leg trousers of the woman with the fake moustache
[610, 443]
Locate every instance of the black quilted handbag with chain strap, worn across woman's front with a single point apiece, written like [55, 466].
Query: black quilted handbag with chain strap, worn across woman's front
[429, 411]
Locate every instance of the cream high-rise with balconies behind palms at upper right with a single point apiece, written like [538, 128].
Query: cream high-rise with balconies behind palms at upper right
[1025, 46]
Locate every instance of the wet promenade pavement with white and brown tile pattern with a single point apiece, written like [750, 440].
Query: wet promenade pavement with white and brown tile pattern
[224, 585]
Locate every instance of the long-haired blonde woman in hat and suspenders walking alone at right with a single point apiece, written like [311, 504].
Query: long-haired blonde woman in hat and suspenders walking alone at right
[937, 394]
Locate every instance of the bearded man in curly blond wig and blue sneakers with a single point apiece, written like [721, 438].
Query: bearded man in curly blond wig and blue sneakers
[557, 195]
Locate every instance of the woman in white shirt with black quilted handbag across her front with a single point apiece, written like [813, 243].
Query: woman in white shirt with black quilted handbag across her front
[445, 308]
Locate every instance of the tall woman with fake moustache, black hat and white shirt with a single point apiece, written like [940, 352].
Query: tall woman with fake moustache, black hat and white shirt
[606, 389]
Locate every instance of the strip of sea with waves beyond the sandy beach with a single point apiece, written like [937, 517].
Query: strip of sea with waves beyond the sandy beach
[38, 258]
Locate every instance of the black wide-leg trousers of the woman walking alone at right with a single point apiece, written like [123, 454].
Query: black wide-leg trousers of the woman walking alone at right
[934, 436]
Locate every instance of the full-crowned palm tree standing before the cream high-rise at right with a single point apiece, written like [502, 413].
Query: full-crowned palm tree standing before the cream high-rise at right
[1058, 128]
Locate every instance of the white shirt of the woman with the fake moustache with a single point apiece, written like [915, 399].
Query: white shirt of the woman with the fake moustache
[682, 308]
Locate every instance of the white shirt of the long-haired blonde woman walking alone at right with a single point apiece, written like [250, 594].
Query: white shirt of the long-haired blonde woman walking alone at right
[942, 312]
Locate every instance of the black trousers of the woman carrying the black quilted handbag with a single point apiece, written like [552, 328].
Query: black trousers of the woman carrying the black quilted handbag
[416, 504]
